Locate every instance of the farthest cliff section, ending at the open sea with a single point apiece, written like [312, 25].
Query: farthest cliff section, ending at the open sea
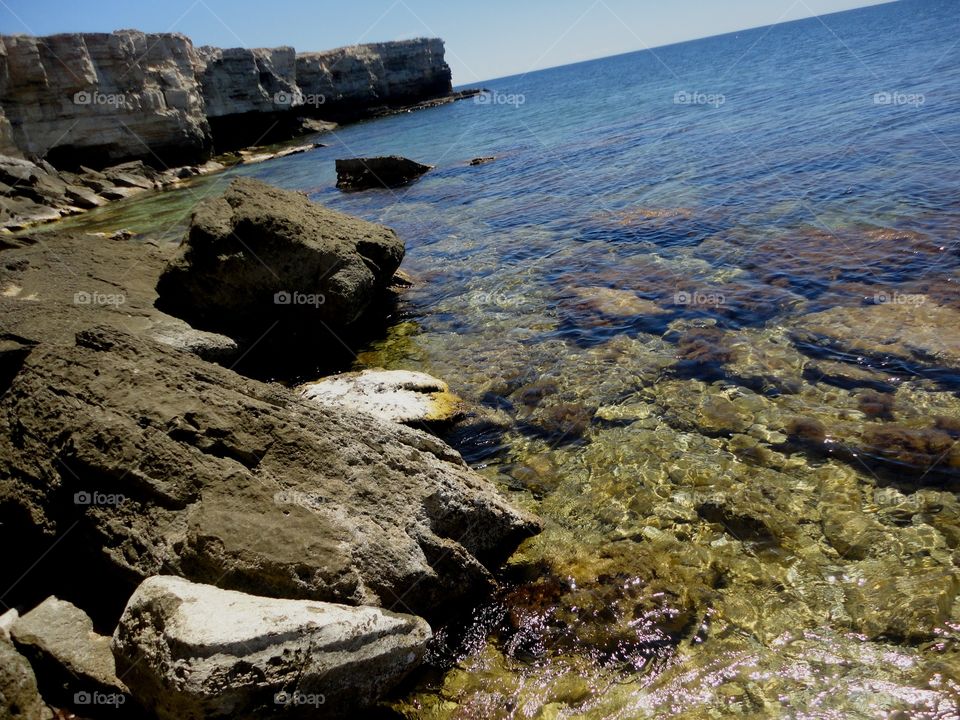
[386, 73]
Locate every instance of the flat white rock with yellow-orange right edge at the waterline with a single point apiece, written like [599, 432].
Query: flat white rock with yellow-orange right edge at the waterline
[395, 395]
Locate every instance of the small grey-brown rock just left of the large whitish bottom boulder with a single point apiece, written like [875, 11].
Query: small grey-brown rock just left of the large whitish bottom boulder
[60, 642]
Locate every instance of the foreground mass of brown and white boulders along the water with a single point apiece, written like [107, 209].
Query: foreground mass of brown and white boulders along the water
[251, 551]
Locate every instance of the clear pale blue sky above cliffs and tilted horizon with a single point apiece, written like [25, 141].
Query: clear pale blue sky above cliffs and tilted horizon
[485, 38]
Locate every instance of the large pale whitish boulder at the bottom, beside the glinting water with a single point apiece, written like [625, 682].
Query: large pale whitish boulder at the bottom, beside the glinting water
[193, 651]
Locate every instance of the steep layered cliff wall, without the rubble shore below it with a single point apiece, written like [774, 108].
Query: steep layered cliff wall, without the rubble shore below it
[101, 98]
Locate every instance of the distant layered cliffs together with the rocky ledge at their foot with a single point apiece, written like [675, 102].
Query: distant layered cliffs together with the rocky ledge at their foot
[88, 118]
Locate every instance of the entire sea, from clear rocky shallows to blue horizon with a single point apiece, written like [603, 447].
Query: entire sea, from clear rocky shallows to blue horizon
[715, 346]
